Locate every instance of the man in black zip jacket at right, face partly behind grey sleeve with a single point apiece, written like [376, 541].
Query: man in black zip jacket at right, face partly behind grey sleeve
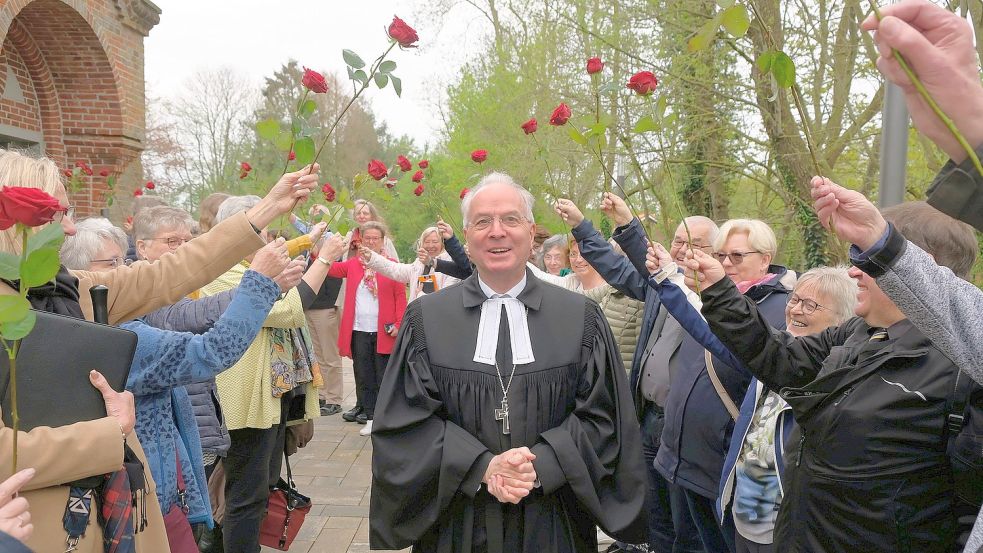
[876, 403]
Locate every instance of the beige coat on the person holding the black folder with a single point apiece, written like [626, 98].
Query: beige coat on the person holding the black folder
[96, 447]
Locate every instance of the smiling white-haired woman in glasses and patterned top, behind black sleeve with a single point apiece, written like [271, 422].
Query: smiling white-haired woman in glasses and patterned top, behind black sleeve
[750, 487]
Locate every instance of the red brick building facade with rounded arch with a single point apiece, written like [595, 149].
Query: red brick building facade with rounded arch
[72, 86]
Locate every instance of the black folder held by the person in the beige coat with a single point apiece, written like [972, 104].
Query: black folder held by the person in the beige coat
[53, 364]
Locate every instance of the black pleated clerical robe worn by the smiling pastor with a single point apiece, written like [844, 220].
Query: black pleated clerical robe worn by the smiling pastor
[435, 431]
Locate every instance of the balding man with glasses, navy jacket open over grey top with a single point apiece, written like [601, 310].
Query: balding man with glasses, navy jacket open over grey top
[670, 527]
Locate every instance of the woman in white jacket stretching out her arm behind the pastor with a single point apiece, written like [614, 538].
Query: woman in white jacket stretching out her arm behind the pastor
[421, 275]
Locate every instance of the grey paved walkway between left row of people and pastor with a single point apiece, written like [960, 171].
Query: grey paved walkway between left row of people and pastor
[335, 471]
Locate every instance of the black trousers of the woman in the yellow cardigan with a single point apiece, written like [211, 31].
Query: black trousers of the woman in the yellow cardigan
[252, 467]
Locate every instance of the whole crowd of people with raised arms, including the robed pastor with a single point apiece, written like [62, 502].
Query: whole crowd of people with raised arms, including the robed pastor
[695, 396]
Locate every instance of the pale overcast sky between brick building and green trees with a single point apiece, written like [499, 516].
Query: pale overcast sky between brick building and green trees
[255, 37]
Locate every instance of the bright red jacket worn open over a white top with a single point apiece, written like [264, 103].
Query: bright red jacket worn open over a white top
[392, 304]
